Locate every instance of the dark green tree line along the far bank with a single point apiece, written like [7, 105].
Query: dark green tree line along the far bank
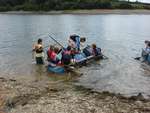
[47, 5]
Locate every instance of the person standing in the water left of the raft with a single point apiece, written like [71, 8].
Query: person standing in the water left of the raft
[39, 52]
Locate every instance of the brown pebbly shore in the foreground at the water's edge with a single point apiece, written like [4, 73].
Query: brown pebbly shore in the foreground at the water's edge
[44, 96]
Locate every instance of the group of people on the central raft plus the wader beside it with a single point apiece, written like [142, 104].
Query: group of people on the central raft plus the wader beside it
[65, 56]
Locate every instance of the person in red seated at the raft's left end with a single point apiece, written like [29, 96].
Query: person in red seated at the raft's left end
[52, 54]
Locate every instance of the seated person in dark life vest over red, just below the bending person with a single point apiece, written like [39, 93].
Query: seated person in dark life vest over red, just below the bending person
[66, 56]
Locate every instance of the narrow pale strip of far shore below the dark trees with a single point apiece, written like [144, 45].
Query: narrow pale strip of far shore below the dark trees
[94, 11]
